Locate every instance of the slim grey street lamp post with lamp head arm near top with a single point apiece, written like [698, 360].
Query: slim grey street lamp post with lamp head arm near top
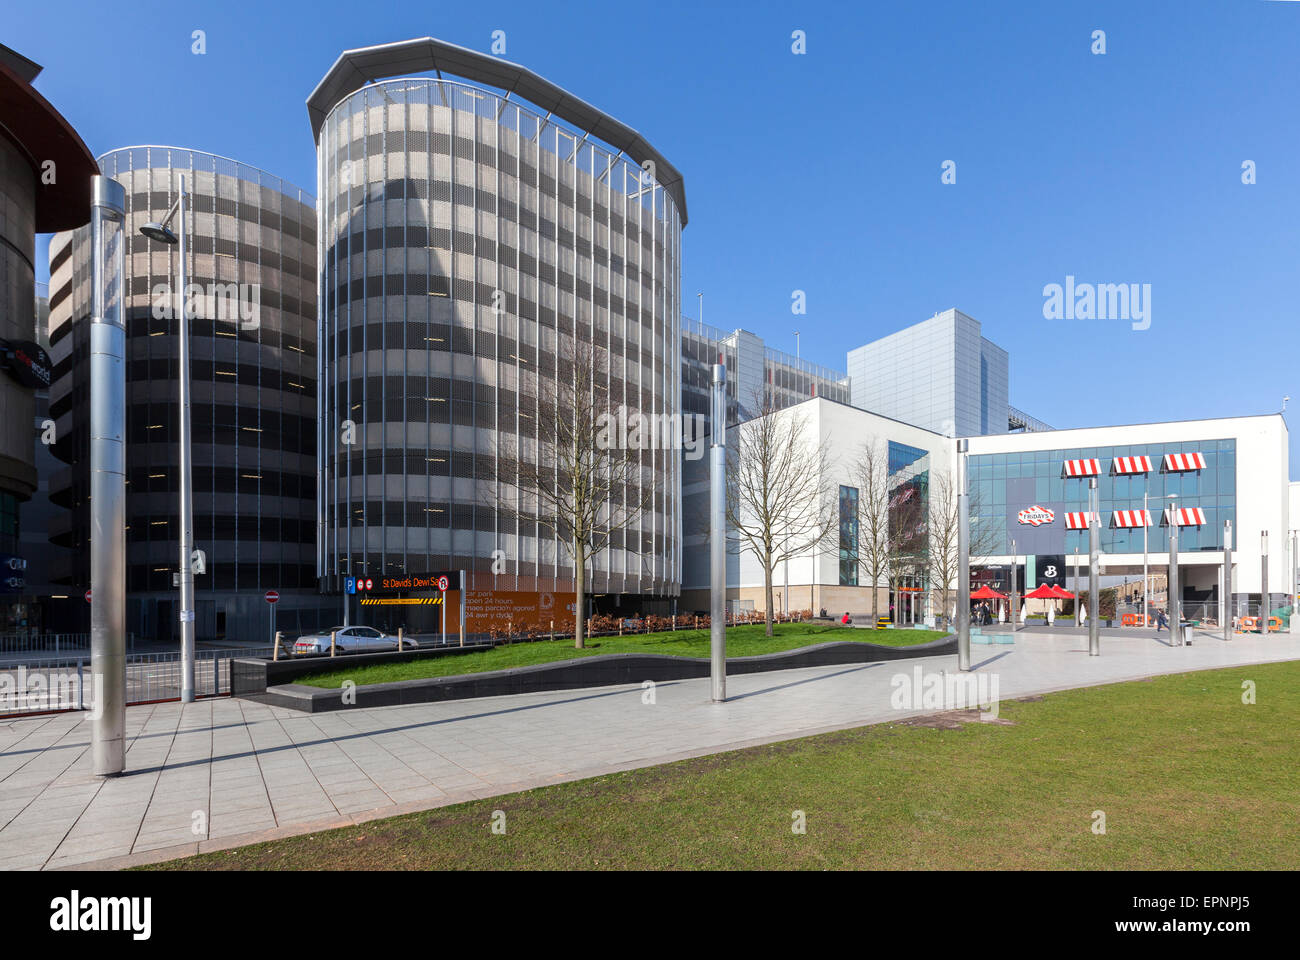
[161, 232]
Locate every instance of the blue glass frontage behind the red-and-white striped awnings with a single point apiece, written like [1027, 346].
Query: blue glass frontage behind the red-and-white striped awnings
[1004, 485]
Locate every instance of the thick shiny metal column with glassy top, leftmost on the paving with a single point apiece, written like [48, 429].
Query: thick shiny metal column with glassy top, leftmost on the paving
[109, 479]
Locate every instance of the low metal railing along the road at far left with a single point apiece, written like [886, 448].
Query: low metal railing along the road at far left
[53, 685]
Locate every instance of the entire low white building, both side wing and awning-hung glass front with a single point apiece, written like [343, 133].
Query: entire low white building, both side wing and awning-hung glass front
[1029, 495]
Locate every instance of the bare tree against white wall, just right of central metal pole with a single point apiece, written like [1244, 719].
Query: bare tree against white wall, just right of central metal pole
[779, 500]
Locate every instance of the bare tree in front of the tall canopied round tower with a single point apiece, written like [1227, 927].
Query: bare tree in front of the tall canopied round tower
[583, 478]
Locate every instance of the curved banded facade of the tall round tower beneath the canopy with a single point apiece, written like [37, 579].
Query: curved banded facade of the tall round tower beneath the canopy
[465, 239]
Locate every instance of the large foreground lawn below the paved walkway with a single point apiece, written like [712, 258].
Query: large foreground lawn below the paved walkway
[1188, 776]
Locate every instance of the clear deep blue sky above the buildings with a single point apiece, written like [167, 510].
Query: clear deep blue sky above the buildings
[822, 172]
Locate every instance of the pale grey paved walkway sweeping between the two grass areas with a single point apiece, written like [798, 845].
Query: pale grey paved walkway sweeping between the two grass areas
[220, 773]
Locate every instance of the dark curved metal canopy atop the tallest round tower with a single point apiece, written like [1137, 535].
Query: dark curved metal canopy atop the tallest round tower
[356, 68]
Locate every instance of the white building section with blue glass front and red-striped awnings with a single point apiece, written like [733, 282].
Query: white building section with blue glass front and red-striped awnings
[1214, 473]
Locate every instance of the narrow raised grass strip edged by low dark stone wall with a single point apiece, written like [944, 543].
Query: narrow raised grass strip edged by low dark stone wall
[742, 642]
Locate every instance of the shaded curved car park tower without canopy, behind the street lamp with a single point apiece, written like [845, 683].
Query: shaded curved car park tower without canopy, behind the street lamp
[253, 271]
